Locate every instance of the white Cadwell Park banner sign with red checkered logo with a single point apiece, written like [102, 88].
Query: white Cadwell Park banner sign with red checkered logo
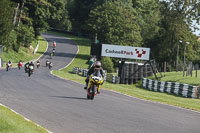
[125, 52]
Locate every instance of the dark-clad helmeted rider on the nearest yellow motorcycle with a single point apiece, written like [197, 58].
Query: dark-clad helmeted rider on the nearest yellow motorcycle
[95, 67]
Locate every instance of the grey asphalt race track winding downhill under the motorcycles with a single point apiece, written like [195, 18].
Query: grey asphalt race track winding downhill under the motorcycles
[61, 105]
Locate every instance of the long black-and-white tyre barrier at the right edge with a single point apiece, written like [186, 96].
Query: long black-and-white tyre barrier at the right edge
[184, 90]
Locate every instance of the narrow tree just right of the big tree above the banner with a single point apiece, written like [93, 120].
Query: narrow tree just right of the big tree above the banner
[148, 18]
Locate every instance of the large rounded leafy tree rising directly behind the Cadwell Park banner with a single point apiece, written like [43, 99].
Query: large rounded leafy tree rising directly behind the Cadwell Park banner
[115, 23]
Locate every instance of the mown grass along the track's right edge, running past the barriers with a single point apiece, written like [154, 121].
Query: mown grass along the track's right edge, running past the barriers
[132, 90]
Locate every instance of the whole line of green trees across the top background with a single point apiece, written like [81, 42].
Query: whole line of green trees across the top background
[162, 25]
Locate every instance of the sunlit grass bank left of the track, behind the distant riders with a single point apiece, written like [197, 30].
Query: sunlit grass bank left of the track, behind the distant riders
[24, 54]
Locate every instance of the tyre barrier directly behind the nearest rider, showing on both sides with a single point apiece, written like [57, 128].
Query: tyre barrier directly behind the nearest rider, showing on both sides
[108, 77]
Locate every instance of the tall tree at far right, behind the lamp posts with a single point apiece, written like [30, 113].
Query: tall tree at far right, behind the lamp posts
[175, 25]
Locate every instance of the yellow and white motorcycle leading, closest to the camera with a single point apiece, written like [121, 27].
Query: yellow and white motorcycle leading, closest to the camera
[94, 85]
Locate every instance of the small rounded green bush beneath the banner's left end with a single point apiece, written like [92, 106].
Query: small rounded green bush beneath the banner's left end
[107, 64]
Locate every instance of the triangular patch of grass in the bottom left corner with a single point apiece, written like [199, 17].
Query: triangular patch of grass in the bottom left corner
[12, 123]
